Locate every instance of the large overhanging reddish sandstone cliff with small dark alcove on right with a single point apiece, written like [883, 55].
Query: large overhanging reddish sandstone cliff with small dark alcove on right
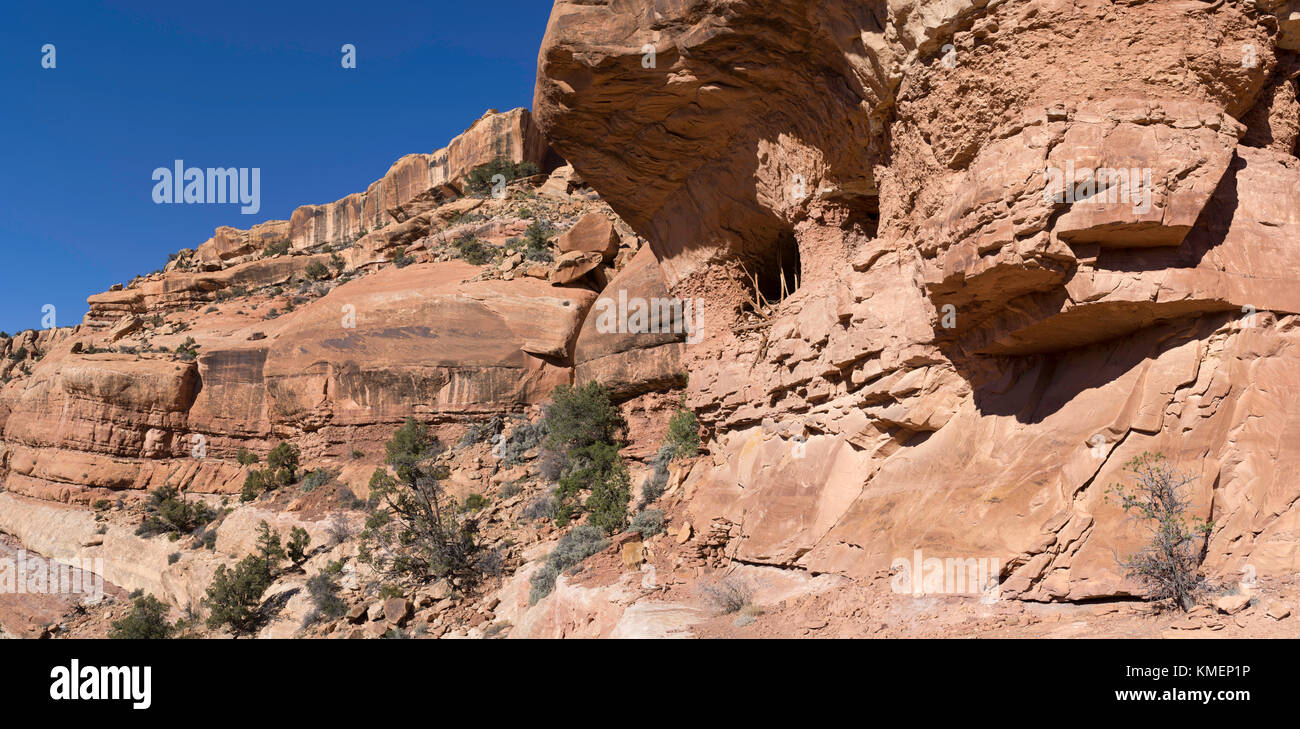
[1002, 249]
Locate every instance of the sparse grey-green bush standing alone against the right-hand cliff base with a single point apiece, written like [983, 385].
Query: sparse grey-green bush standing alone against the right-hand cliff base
[1169, 566]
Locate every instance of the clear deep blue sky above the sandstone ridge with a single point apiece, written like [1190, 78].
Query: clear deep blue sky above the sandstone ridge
[233, 84]
